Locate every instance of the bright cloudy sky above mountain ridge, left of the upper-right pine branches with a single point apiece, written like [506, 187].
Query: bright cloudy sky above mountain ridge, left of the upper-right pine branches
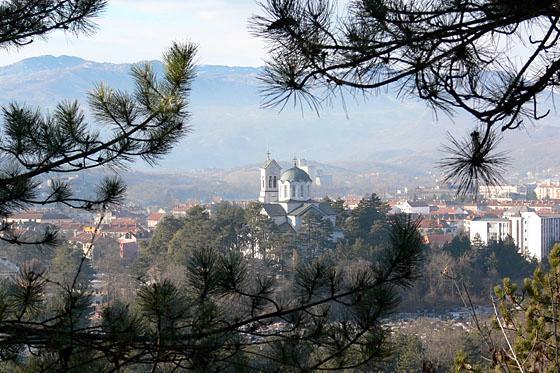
[132, 30]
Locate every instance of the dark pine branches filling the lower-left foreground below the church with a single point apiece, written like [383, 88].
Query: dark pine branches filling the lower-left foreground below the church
[229, 312]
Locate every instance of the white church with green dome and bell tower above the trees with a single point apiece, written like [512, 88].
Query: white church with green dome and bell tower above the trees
[285, 196]
